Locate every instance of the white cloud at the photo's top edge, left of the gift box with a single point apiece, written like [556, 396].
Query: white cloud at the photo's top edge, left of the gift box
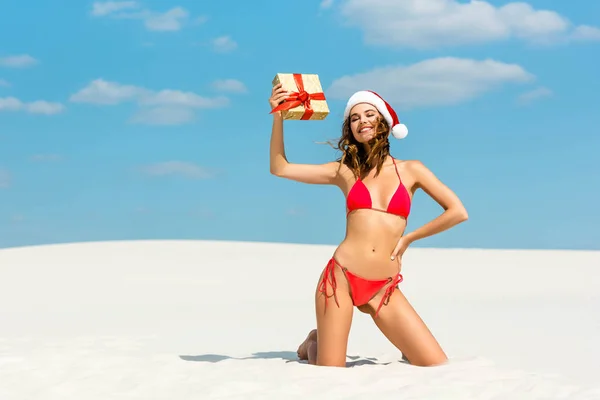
[171, 20]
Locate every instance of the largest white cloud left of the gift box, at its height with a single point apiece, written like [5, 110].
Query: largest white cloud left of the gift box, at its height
[164, 107]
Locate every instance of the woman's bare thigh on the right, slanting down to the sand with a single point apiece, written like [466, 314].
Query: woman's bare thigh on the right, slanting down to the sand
[401, 324]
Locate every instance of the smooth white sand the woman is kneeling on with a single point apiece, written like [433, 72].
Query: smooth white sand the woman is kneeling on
[217, 320]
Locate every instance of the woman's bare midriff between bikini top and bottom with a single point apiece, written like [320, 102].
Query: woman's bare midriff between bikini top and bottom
[371, 237]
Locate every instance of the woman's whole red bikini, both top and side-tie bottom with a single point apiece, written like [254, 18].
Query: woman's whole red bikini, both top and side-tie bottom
[364, 290]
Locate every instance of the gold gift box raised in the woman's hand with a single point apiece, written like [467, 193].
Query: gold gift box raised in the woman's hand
[312, 86]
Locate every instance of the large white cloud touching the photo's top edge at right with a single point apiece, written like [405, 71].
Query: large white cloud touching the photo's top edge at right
[435, 23]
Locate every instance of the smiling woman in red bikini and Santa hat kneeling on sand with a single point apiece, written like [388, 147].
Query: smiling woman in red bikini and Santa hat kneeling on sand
[364, 271]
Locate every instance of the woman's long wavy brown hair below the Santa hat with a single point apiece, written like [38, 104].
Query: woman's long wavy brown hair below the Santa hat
[356, 157]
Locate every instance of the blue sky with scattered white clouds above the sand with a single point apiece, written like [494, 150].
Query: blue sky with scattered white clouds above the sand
[149, 120]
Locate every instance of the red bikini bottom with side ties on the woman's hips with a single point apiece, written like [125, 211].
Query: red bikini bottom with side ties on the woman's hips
[361, 290]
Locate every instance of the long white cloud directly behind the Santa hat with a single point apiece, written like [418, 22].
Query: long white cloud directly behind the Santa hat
[434, 82]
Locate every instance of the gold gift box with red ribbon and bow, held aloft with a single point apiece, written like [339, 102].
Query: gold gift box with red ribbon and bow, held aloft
[306, 100]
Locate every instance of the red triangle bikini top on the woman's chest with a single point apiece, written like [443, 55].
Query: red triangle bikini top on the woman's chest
[359, 197]
